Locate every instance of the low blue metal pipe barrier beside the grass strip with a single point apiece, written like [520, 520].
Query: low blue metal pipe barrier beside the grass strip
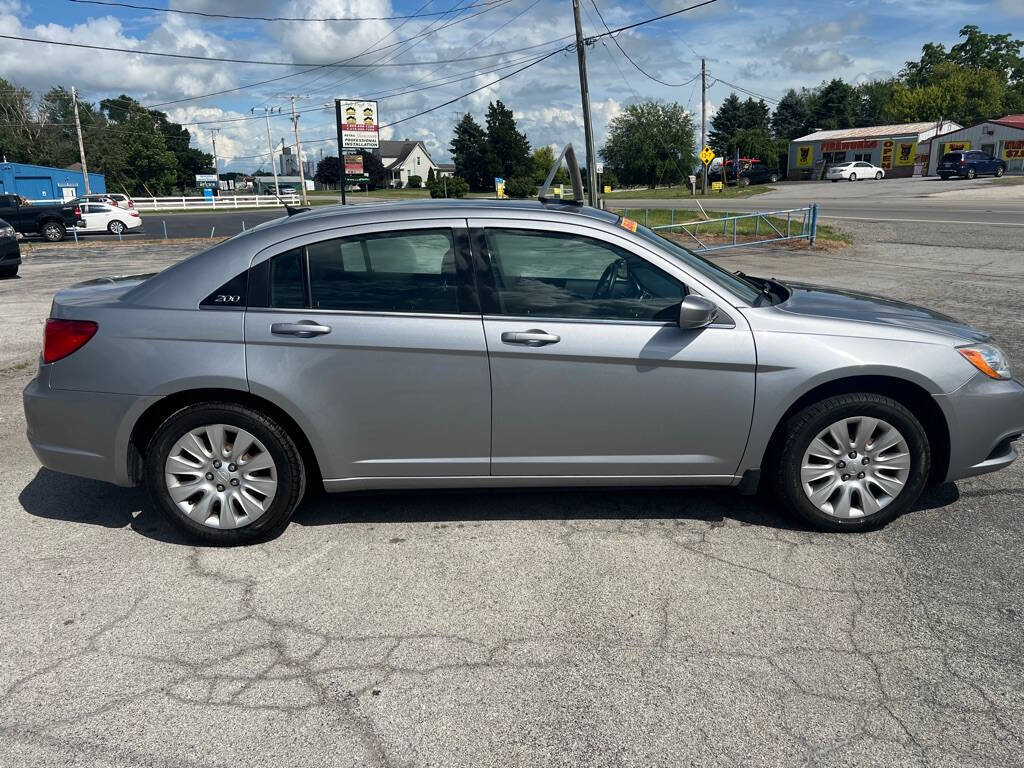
[800, 224]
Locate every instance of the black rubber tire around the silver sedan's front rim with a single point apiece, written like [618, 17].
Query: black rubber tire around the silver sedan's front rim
[801, 429]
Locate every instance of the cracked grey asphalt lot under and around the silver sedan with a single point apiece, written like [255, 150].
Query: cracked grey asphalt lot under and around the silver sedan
[605, 628]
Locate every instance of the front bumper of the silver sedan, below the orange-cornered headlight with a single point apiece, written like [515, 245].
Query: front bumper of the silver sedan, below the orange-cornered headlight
[986, 417]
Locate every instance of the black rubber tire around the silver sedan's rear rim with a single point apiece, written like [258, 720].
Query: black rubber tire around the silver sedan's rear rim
[288, 461]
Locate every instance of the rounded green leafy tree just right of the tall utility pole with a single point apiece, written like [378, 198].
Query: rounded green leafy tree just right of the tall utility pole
[651, 144]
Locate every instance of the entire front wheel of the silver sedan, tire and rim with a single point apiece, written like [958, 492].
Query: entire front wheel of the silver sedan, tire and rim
[852, 462]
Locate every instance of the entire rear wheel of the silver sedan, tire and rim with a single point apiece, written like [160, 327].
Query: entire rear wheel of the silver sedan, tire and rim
[224, 474]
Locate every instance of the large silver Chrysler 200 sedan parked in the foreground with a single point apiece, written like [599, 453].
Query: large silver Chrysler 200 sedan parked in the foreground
[480, 344]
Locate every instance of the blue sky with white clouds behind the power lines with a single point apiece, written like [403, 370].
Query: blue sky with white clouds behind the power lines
[765, 47]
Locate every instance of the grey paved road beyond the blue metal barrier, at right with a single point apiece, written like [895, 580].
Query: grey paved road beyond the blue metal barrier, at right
[908, 201]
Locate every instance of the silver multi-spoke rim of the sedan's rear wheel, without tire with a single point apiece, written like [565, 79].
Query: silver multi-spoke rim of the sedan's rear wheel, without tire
[221, 477]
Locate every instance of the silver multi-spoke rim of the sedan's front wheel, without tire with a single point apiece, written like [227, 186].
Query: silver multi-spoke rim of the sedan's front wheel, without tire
[857, 467]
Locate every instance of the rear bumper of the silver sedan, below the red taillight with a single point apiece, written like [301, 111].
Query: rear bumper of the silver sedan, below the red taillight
[81, 434]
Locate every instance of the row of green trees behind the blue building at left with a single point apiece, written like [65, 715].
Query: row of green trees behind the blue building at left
[137, 149]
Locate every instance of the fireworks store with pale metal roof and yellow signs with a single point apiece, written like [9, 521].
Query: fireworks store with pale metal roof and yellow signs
[900, 149]
